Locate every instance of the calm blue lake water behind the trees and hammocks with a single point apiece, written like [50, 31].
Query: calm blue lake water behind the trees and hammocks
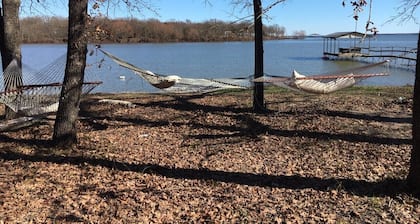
[215, 60]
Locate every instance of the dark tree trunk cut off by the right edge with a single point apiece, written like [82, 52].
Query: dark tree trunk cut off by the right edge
[413, 178]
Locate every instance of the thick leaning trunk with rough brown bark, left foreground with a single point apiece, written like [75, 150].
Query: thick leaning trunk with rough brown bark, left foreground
[65, 132]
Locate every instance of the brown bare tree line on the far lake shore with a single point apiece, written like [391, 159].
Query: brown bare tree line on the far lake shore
[104, 30]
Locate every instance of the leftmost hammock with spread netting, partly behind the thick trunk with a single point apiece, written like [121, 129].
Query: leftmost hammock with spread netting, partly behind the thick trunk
[32, 93]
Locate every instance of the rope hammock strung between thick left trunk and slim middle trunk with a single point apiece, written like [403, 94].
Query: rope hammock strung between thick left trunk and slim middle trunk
[177, 84]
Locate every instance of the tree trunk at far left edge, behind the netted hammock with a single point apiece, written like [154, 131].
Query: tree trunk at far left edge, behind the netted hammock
[10, 41]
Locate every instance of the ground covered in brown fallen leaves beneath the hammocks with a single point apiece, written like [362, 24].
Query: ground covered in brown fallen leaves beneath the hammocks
[338, 158]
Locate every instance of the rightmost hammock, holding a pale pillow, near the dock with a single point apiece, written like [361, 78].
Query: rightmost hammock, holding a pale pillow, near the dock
[323, 84]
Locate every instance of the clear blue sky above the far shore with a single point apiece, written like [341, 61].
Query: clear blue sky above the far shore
[312, 16]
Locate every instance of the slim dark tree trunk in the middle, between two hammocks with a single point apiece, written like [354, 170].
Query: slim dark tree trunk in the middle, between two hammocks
[258, 96]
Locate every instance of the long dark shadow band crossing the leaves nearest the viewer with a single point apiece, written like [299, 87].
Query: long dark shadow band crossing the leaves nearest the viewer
[387, 187]
